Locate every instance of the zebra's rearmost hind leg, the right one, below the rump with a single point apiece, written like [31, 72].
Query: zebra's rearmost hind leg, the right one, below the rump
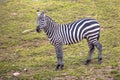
[99, 48]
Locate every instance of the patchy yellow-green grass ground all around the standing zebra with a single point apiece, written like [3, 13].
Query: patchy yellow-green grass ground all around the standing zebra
[32, 51]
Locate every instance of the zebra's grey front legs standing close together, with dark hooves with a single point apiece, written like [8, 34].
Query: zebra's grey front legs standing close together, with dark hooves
[59, 55]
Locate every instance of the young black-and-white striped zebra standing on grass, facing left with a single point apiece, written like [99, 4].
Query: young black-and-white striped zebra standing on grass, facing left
[60, 34]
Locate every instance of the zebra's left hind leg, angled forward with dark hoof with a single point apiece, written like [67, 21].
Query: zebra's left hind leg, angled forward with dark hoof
[92, 48]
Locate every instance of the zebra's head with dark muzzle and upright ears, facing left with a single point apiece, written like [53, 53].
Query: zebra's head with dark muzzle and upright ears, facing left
[41, 21]
